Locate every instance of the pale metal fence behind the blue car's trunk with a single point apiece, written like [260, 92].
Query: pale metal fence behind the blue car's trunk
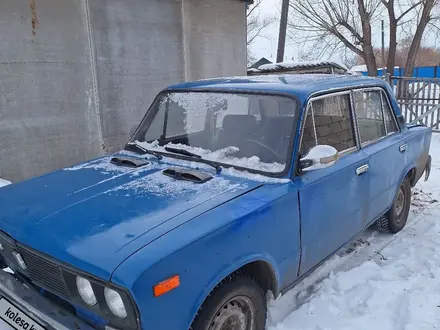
[419, 99]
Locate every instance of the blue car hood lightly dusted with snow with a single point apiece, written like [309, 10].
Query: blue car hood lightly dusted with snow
[95, 215]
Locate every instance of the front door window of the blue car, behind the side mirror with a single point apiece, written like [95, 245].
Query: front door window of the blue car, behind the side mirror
[329, 122]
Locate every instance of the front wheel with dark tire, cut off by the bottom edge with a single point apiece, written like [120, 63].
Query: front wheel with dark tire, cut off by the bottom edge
[236, 303]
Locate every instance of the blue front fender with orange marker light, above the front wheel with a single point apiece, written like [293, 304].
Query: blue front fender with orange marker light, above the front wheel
[262, 225]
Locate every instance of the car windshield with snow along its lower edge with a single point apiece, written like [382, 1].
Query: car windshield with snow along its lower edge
[244, 130]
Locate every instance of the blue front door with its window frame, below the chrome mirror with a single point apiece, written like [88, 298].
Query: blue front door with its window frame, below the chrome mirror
[333, 200]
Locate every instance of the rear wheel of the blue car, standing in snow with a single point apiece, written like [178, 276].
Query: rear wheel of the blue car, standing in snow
[395, 219]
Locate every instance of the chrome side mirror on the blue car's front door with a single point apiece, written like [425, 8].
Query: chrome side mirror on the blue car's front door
[318, 157]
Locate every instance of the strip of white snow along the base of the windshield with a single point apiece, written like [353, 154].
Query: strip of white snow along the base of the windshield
[224, 155]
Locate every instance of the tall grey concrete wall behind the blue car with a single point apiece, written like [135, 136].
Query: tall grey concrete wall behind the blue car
[77, 75]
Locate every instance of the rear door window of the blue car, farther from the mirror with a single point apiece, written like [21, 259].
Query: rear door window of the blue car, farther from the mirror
[368, 106]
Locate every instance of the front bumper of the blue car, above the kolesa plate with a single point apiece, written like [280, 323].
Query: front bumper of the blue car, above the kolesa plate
[41, 309]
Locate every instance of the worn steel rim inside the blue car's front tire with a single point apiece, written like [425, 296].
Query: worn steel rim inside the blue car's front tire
[237, 314]
